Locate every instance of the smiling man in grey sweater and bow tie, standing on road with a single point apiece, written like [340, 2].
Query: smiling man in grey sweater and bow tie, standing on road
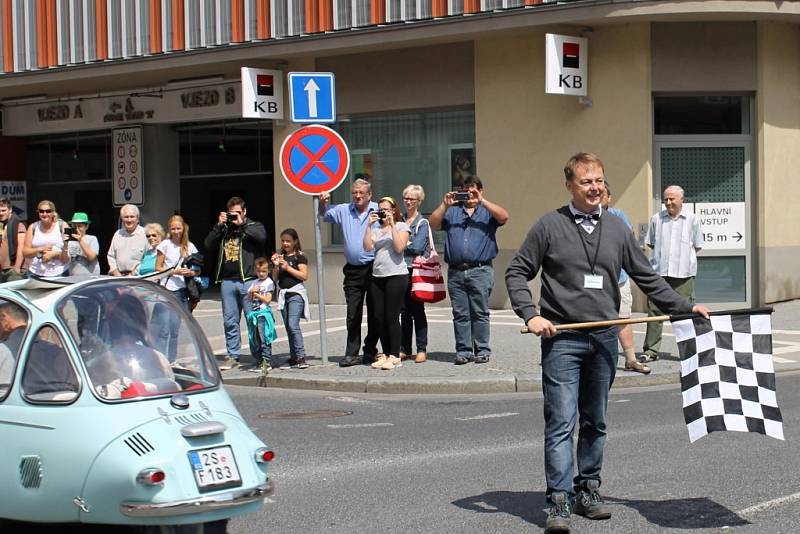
[580, 251]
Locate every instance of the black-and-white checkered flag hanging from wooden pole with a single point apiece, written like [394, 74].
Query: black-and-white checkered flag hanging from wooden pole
[727, 376]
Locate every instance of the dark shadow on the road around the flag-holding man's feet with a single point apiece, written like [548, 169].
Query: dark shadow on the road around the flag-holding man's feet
[529, 506]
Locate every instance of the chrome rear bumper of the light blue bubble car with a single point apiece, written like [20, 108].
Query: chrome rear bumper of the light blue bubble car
[210, 503]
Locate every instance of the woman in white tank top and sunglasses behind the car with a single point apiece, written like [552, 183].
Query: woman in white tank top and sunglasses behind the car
[44, 243]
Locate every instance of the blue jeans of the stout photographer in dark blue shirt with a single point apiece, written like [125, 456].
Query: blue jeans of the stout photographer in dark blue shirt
[469, 296]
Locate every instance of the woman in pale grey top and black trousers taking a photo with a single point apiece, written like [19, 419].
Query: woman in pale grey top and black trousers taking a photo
[388, 237]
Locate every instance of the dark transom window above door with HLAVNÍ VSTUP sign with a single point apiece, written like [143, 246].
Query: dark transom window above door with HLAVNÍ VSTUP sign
[701, 115]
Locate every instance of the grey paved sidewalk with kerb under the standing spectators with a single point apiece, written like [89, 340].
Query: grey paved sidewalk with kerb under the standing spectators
[514, 366]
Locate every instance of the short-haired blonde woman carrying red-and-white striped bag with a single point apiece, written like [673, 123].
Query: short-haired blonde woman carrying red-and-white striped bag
[413, 317]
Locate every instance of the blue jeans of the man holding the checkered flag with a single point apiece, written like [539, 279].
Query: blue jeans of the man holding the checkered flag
[577, 371]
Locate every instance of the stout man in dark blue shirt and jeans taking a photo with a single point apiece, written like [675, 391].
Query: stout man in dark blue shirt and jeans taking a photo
[470, 222]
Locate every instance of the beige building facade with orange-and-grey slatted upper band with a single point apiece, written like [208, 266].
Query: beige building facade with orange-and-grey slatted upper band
[702, 94]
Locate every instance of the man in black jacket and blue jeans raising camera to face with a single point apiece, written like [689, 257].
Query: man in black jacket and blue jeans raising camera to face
[239, 241]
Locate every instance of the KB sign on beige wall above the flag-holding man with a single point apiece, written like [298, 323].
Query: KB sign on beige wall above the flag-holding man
[567, 69]
